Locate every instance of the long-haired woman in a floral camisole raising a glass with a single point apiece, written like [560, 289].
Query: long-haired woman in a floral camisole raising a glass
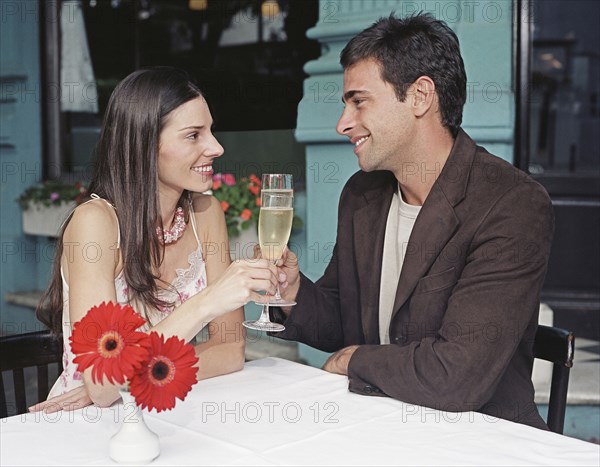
[144, 235]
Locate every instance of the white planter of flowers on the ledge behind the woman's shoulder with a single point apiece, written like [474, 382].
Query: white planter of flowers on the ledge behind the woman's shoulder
[46, 205]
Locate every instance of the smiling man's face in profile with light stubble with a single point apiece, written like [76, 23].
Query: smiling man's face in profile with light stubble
[380, 127]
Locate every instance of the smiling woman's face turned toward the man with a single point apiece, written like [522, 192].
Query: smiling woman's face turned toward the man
[187, 149]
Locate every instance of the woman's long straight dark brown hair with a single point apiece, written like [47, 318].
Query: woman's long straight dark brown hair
[126, 175]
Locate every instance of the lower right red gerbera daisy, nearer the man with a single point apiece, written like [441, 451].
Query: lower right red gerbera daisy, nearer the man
[169, 373]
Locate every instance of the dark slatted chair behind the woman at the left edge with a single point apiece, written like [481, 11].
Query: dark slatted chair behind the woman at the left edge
[17, 352]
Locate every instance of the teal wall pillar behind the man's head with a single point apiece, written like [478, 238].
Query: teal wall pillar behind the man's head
[485, 32]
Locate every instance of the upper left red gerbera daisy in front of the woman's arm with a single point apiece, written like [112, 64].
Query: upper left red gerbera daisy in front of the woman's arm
[106, 339]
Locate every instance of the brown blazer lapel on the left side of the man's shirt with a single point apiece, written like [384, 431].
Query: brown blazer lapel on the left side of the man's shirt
[368, 224]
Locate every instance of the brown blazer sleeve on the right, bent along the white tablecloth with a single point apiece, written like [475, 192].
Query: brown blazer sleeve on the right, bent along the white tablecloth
[487, 314]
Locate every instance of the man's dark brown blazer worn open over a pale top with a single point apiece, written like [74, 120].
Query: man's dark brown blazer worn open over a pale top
[467, 301]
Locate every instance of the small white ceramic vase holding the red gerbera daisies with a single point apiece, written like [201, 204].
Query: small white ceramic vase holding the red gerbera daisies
[134, 443]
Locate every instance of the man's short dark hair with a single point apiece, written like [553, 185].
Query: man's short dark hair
[415, 46]
